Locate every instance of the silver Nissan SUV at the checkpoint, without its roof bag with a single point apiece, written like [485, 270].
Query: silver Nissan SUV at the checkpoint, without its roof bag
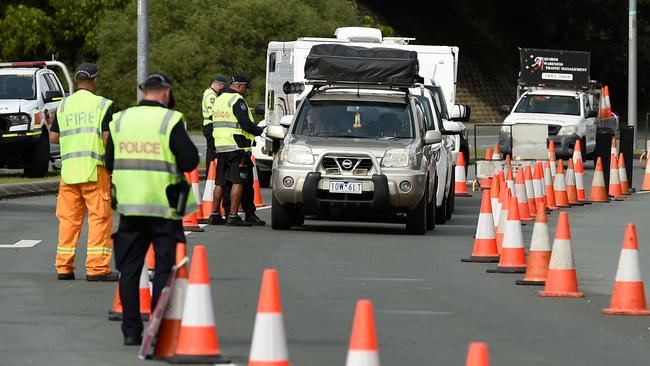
[358, 153]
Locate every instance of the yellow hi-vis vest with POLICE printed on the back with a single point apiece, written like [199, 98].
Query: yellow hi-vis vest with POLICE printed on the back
[144, 164]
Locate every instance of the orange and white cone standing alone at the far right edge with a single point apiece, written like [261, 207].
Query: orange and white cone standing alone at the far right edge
[628, 296]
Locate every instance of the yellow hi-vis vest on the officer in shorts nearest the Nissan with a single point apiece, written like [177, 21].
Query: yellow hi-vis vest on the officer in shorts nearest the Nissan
[225, 125]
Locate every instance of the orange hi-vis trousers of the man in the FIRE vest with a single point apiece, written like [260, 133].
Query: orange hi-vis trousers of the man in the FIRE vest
[73, 201]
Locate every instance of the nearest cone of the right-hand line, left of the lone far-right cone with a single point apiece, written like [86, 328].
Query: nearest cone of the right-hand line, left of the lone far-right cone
[561, 280]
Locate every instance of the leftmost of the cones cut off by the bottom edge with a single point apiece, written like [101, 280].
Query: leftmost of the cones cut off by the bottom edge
[269, 345]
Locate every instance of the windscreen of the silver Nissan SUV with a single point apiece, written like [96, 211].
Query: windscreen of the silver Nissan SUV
[352, 119]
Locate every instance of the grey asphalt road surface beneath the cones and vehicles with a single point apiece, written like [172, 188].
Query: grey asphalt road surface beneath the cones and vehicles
[428, 305]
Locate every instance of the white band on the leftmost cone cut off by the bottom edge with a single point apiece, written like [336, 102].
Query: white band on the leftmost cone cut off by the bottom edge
[269, 342]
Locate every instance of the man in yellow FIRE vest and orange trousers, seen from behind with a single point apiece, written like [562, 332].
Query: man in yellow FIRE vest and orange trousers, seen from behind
[81, 128]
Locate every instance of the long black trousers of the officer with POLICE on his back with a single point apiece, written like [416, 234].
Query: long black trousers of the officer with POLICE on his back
[131, 241]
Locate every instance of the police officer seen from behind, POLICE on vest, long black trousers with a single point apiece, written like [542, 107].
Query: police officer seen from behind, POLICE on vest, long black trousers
[148, 150]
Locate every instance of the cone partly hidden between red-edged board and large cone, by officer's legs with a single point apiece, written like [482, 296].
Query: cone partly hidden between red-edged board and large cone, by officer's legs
[170, 326]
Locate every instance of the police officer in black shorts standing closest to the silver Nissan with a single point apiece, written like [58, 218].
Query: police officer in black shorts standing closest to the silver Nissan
[234, 131]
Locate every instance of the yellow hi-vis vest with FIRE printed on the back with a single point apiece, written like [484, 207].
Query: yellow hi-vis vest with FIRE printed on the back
[80, 119]
